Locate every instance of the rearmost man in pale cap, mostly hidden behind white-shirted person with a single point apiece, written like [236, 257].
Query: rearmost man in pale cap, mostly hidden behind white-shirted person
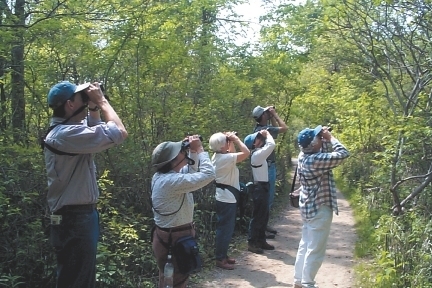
[276, 126]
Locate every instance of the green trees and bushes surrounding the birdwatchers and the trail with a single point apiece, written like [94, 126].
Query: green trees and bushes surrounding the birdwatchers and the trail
[167, 72]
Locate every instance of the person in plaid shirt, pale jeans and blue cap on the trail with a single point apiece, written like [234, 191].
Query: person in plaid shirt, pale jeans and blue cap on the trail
[320, 153]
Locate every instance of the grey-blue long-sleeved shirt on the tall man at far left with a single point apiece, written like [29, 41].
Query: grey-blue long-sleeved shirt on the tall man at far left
[72, 179]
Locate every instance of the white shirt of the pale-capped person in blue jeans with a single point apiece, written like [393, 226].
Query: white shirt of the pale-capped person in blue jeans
[226, 173]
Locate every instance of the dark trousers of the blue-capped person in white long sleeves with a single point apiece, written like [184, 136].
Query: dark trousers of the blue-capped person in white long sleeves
[260, 214]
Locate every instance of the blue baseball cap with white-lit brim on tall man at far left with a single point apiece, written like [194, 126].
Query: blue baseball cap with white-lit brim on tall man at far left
[63, 91]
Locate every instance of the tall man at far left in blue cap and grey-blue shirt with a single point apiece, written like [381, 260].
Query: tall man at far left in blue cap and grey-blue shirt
[72, 139]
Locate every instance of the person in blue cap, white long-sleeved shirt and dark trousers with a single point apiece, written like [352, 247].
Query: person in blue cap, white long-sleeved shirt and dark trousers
[261, 145]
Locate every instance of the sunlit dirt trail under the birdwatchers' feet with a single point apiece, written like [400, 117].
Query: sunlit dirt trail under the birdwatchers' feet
[276, 268]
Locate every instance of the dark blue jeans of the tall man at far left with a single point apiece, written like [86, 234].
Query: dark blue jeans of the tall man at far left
[75, 243]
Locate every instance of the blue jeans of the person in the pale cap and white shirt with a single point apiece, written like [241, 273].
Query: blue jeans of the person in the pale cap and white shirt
[226, 214]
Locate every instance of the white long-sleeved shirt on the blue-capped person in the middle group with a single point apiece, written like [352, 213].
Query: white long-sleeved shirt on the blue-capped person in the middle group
[258, 158]
